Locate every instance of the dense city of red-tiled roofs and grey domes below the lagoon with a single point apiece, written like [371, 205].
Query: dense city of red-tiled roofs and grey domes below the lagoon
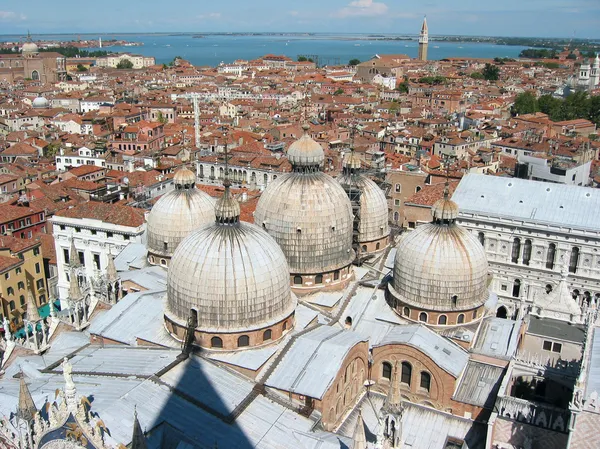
[299, 252]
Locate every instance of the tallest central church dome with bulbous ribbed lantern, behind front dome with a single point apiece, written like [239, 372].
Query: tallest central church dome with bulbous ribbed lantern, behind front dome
[309, 215]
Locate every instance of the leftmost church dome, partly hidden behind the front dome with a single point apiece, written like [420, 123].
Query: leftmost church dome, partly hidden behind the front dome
[175, 215]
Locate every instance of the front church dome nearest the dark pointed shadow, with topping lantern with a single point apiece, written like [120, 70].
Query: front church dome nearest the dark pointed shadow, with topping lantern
[232, 274]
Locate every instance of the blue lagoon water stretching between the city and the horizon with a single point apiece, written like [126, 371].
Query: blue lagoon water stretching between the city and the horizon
[212, 49]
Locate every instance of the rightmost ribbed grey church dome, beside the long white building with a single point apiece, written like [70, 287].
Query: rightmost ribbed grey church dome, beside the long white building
[441, 266]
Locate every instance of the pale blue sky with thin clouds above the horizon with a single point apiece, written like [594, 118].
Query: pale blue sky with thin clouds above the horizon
[470, 17]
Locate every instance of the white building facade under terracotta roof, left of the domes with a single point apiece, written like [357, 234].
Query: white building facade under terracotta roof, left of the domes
[95, 239]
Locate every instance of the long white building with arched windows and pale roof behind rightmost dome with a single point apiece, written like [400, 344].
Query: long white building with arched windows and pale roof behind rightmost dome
[530, 230]
